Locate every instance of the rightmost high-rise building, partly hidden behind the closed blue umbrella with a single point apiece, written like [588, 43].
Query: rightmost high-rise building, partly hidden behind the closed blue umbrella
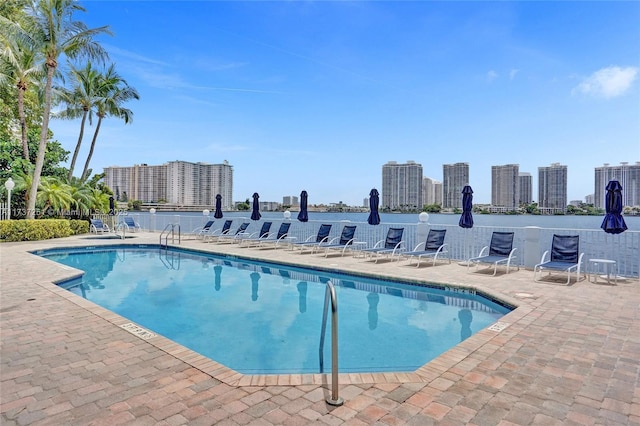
[629, 177]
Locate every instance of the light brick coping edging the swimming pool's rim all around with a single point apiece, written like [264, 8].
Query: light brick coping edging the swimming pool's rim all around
[425, 374]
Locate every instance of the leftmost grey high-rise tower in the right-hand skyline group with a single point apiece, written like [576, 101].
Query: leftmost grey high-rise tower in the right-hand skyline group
[401, 186]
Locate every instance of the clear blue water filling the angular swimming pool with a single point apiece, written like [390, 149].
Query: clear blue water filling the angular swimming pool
[265, 318]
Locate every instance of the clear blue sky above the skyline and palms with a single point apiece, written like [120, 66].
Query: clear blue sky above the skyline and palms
[318, 95]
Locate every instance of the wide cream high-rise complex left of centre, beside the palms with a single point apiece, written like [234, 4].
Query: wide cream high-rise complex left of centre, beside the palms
[177, 182]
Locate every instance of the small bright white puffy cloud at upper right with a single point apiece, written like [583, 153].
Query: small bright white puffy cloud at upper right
[608, 82]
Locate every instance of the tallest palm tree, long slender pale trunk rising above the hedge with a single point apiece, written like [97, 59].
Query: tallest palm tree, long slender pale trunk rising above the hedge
[53, 32]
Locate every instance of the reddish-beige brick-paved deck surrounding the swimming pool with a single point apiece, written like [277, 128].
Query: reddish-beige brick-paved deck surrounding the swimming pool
[569, 355]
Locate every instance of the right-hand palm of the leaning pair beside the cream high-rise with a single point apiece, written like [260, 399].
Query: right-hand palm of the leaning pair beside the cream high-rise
[113, 92]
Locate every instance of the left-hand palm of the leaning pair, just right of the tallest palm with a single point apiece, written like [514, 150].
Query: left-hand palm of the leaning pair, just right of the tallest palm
[80, 102]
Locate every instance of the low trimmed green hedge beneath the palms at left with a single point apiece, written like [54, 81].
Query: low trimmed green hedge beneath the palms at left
[40, 229]
